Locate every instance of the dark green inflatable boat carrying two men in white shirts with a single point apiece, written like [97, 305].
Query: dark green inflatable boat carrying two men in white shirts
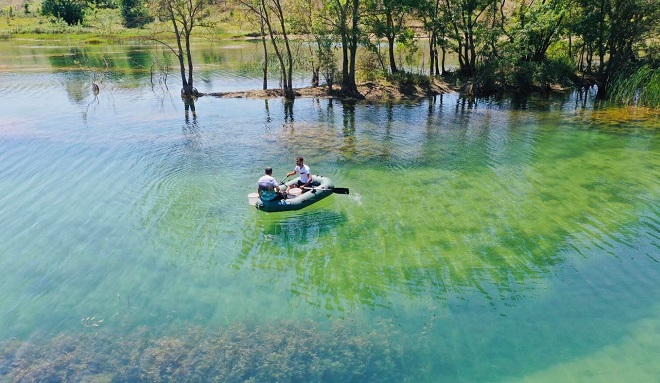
[321, 187]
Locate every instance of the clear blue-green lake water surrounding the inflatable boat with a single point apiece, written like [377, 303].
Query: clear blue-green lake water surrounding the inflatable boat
[501, 240]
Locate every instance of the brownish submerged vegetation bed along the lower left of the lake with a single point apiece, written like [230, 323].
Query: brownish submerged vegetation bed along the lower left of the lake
[277, 352]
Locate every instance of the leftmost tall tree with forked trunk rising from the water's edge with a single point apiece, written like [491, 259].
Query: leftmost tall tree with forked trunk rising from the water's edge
[184, 15]
